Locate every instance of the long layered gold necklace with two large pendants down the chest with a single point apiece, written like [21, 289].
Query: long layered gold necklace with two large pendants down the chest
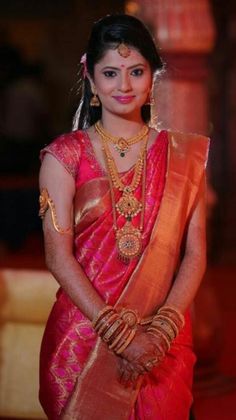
[129, 237]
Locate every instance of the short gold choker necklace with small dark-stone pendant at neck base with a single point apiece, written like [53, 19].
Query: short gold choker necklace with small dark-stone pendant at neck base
[122, 146]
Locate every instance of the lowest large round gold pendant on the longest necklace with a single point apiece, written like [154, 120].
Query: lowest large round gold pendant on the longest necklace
[129, 242]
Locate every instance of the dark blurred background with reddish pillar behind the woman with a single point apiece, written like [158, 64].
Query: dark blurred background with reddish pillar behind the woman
[41, 43]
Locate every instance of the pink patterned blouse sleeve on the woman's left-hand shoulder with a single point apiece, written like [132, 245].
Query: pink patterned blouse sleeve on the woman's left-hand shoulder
[67, 150]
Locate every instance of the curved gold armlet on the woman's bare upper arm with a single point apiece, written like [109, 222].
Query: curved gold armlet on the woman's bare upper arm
[45, 203]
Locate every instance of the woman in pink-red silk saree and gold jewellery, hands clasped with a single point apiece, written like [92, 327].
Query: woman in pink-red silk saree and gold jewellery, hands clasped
[124, 227]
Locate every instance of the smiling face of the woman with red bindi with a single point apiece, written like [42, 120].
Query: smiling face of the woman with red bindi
[122, 84]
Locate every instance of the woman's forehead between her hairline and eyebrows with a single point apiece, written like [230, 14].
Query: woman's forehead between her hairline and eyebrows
[114, 59]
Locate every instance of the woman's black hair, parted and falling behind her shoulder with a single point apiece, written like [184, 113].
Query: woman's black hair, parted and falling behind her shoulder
[108, 33]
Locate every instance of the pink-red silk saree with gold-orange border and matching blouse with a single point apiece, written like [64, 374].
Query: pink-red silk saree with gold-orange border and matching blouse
[75, 366]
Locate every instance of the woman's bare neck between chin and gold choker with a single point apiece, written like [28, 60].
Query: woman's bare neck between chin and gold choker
[122, 126]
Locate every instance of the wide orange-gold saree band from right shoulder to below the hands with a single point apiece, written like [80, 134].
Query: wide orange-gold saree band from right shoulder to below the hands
[98, 394]
